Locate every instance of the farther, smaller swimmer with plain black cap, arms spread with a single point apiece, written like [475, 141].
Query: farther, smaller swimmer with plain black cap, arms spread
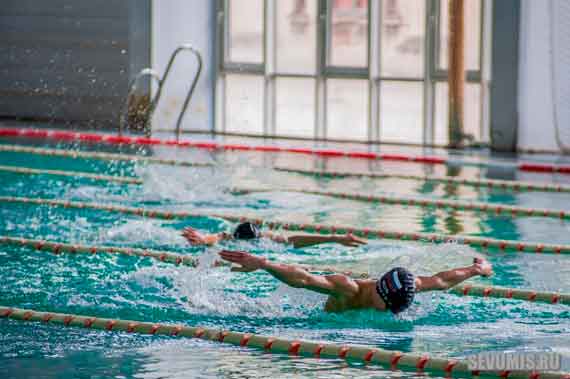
[250, 231]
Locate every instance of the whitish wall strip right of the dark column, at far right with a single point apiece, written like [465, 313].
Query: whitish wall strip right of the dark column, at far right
[536, 122]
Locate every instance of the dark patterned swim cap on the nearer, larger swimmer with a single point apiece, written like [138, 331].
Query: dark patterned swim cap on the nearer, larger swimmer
[397, 288]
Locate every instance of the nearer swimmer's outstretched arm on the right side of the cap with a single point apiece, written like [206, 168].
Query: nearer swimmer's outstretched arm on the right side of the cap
[446, 279]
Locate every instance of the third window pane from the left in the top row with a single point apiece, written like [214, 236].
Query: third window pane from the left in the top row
[348, 33]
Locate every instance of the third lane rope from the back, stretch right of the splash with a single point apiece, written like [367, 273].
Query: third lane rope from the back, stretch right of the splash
[510, 210]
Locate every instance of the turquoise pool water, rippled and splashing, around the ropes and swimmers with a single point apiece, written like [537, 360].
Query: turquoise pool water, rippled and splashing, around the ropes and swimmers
[137, 288]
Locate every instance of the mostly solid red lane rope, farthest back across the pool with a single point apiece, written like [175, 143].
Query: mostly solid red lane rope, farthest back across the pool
[62, 135]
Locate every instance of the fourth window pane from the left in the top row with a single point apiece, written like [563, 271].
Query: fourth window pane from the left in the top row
[403, 33]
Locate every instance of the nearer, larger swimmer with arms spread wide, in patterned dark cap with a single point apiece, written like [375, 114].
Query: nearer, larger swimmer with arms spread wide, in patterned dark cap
[394, 291]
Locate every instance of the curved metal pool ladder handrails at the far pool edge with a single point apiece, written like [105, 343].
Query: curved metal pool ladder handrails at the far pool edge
[154, 101]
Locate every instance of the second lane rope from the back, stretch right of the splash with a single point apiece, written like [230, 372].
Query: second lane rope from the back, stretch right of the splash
[514, 185]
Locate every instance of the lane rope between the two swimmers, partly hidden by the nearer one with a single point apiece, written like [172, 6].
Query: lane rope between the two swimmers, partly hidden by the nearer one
[465, 289]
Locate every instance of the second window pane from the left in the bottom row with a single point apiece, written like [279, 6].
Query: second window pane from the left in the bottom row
[295, 107]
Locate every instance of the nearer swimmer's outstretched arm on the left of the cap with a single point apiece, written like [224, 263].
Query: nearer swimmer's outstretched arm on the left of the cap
[297, 277]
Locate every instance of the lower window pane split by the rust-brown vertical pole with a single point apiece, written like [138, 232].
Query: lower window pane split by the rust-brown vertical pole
[471, 112]
